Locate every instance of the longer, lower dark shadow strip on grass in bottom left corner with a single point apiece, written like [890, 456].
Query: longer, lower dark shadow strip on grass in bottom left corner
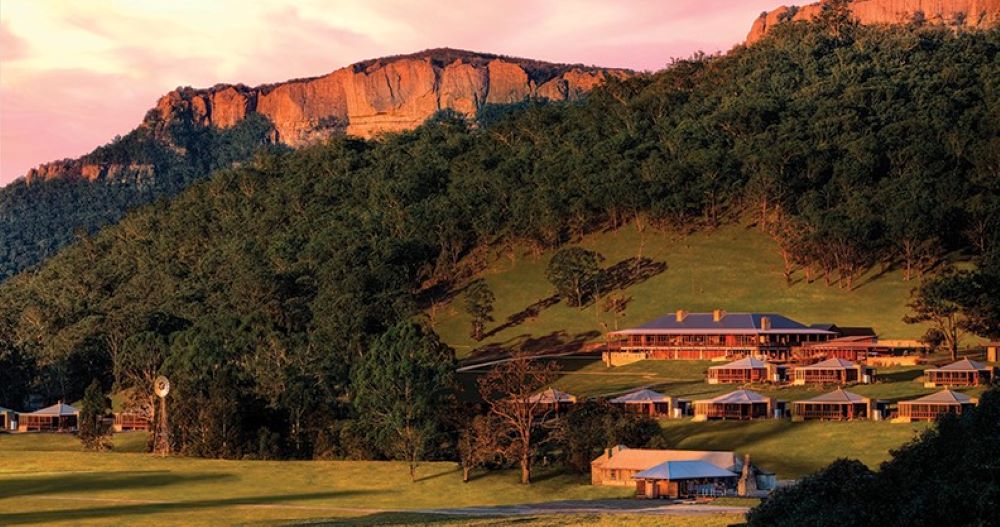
[139, 509]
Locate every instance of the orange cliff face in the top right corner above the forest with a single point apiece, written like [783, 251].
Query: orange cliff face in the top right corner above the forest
[979, 14]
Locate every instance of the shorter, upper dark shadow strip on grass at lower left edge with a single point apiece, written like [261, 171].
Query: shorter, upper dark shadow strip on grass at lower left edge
[99, 481]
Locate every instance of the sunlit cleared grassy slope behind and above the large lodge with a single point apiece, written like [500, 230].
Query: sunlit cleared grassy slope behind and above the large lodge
[734, 268]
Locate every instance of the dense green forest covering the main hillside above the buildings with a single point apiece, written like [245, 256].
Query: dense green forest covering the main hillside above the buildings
[259, 289]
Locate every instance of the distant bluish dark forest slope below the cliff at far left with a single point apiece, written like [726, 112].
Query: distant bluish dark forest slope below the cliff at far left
[156, 160]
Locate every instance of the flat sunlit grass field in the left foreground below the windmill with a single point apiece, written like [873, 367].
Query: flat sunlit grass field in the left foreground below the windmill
[47, 479]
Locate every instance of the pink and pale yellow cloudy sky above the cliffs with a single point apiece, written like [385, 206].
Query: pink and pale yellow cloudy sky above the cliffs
[73, 74]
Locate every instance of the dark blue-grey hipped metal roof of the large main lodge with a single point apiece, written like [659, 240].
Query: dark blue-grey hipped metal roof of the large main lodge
[730, 323]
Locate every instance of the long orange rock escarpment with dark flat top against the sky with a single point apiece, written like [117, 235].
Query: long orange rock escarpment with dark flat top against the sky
[382, 95]
